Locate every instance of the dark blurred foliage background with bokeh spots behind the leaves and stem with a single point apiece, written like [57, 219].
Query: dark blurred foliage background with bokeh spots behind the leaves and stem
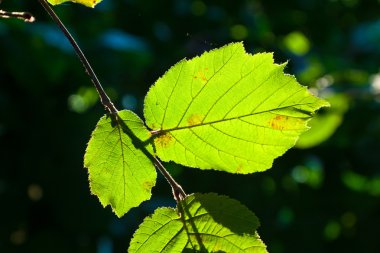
[322, 196]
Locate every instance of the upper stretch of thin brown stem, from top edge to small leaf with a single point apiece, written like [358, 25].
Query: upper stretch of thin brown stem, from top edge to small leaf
[104, 99]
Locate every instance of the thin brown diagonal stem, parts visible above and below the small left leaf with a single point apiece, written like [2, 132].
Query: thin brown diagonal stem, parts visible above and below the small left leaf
[178, 193]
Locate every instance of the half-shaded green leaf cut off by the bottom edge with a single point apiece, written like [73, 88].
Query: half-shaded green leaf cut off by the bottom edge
[200, 223]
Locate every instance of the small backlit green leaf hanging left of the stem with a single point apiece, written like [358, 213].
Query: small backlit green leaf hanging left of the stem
[120, 172]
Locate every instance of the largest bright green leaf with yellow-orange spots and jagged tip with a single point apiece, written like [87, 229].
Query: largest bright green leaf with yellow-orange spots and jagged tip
[228, 110]
